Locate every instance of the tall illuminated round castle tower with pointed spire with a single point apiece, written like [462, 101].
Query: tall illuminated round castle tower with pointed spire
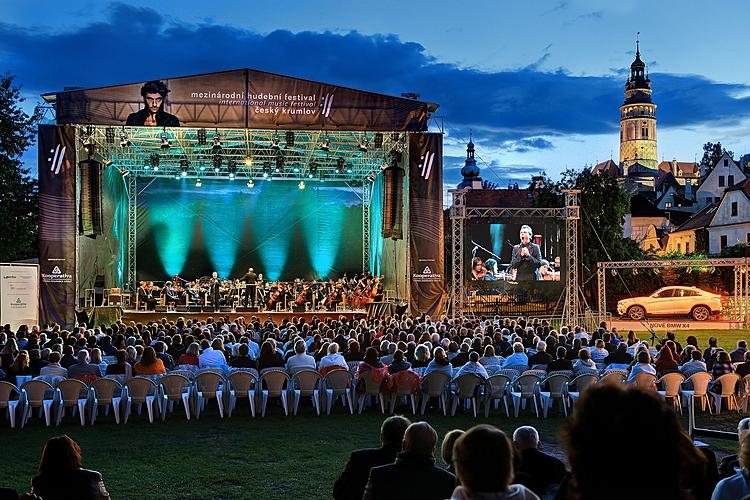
[638, 119]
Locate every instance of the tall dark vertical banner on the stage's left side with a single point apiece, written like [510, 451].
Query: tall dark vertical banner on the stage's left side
[57, 224]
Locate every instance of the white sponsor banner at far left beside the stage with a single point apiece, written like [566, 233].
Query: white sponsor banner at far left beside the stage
[19, 295]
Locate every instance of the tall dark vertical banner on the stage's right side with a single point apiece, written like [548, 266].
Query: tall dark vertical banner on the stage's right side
[426, 223]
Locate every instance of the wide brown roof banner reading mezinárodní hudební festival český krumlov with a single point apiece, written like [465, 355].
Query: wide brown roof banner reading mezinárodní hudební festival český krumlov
[241, 98]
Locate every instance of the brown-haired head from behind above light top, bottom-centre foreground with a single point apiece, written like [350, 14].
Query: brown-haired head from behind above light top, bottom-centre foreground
[483, 458]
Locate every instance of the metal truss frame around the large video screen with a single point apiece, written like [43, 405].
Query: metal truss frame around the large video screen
[460, 214]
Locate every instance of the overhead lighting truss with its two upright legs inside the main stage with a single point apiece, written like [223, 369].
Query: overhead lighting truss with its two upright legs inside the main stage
[239, 155]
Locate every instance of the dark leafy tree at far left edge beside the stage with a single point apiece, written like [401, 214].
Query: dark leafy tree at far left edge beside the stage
[18, 191]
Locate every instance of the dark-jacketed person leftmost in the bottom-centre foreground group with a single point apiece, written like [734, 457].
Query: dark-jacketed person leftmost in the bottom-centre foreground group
[350, 485]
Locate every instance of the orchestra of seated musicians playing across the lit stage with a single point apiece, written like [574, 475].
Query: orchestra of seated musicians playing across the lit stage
[213, 293]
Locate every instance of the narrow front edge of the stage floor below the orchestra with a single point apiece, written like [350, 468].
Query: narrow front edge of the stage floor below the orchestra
[276, 316]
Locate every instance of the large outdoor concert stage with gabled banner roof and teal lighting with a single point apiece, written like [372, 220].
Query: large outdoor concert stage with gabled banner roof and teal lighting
[224, 171]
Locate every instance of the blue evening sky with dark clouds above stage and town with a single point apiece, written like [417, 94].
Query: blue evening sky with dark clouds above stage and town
[539, 82]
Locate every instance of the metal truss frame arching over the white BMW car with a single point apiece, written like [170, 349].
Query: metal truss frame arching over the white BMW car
[740, 310]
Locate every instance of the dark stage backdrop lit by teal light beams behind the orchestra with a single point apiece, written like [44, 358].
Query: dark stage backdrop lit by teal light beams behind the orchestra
[281, 231]
